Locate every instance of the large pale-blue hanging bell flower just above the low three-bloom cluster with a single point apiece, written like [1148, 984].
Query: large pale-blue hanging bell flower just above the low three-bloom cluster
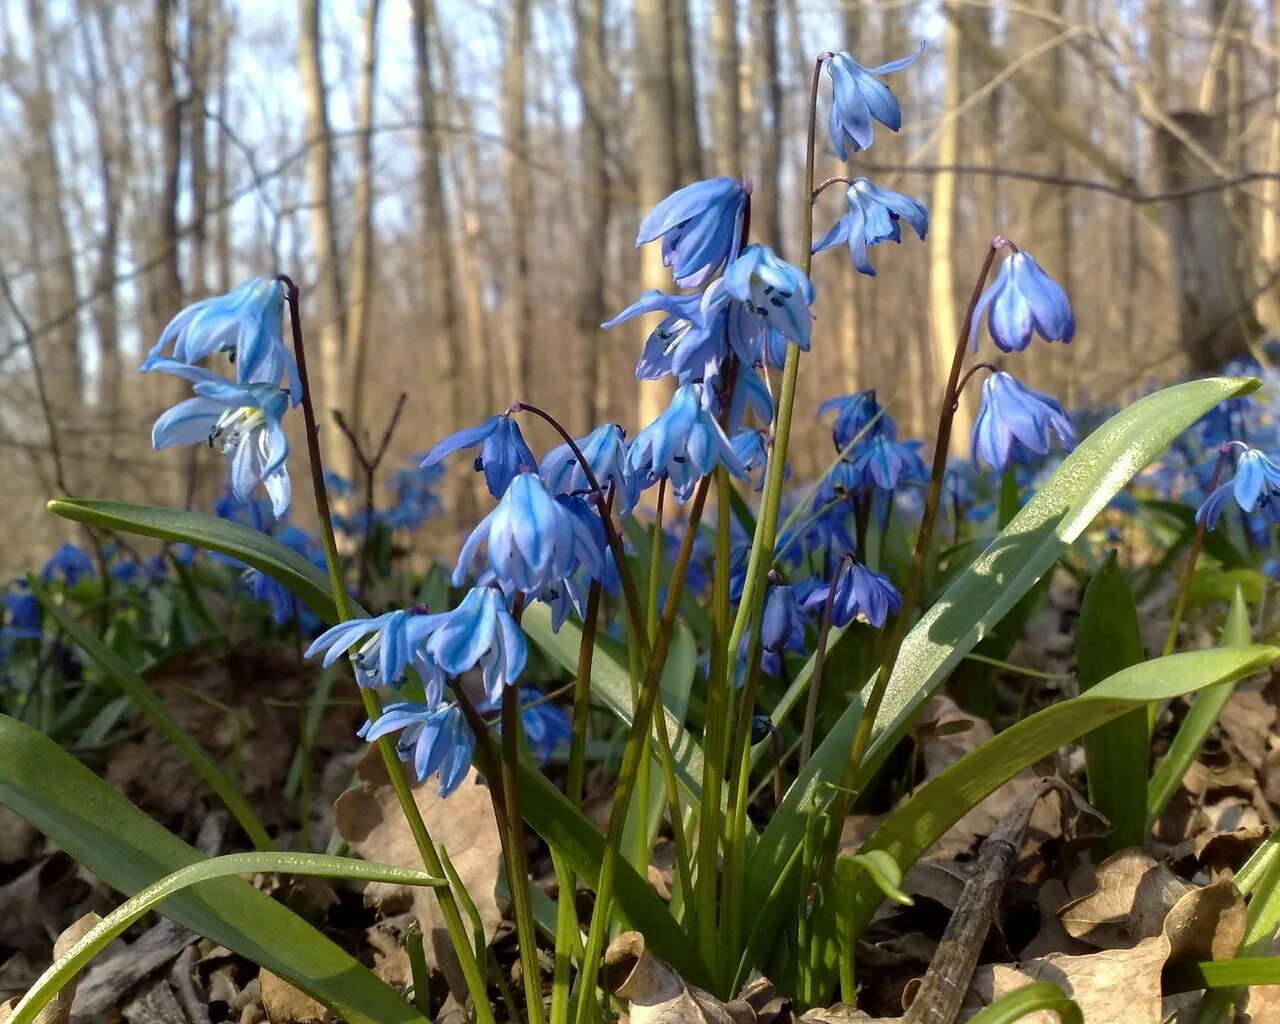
[533, 540]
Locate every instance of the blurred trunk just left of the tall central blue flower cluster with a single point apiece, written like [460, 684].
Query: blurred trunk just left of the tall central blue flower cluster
[593, 84]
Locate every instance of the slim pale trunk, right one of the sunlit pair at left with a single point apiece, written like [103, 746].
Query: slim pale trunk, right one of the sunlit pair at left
[363, 243]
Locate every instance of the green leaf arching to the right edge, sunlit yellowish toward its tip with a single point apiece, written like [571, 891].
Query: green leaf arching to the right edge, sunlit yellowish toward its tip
[922, 821]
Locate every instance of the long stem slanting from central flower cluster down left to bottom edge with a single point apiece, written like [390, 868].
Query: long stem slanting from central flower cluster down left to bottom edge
[632, 755]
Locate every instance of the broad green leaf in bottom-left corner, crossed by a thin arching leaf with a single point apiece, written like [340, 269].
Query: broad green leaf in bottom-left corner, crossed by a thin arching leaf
[102, 830]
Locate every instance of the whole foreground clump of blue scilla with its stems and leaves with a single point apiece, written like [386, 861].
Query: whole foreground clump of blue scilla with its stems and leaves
[825, 615]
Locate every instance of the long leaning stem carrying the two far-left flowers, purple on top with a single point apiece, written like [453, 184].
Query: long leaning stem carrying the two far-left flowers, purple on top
[472, 971]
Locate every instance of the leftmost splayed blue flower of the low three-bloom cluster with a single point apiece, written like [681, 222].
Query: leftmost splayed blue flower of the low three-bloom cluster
[395, 643]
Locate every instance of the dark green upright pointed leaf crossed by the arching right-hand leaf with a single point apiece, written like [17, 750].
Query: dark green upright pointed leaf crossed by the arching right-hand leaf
[1108, 641]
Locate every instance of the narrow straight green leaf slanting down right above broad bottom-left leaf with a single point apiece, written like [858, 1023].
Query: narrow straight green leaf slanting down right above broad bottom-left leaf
[147, 702]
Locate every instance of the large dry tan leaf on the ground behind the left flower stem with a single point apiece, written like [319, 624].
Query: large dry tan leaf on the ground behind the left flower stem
[369, 817]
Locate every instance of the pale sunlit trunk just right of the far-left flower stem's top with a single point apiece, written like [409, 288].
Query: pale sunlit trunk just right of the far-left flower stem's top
[324, 243]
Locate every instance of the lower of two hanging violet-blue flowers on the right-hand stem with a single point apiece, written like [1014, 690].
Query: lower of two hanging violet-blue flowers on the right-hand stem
[1014, 423]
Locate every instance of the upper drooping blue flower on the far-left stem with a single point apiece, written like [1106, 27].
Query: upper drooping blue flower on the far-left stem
[246, 323]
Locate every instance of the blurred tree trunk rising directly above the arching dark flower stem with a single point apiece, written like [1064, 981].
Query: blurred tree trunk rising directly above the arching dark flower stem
[519, 194]
